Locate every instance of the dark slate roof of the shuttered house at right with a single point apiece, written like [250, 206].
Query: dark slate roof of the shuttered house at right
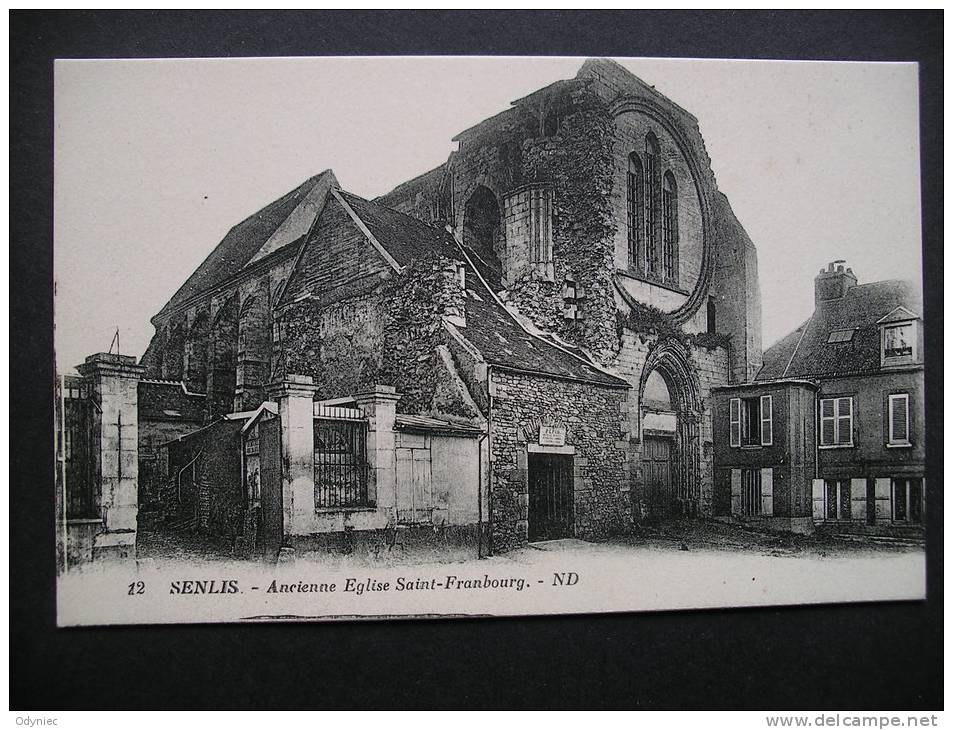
[811, 355]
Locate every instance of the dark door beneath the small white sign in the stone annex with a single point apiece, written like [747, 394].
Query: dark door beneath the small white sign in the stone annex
[550, 497]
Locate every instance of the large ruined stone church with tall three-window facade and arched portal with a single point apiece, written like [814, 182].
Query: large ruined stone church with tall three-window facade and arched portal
[570, 284]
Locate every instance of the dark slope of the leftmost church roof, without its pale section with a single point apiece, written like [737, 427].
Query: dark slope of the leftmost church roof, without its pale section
[242, 243]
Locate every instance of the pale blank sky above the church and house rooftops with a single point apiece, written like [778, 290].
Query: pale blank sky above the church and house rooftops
[154, 160]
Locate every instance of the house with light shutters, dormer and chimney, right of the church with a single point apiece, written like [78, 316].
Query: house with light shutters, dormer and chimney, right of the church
[830, 433]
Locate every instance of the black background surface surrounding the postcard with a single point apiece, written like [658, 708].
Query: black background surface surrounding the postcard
[877, 656]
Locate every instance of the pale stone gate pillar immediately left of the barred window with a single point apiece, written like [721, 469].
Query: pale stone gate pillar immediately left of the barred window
[295, 398]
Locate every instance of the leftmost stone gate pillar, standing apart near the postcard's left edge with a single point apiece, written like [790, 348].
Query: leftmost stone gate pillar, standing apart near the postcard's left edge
[113, 383]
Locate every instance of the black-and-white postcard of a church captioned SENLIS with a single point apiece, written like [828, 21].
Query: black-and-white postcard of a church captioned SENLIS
[376, 338]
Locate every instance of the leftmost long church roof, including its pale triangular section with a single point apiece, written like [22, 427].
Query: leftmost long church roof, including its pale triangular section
[280, 224]
